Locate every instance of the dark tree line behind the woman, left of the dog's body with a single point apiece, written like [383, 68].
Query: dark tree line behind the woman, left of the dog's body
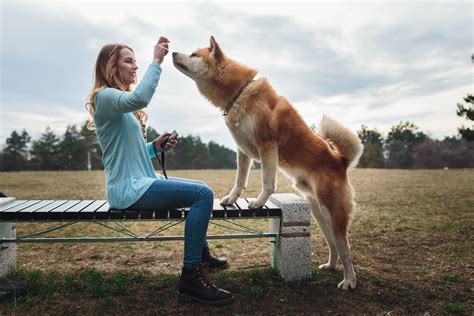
[78, 149]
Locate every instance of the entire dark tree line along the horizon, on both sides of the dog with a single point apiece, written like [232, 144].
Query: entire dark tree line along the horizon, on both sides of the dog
[404, 147]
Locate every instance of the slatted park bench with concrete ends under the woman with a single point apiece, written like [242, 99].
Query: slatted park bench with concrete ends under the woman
[288, 216]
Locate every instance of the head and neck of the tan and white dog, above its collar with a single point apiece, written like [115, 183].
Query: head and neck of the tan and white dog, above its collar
[217, 76]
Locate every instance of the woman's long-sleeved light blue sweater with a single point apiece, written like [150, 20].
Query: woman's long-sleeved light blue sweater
[127, 158]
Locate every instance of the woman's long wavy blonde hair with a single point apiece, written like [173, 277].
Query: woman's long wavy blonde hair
[106, 74]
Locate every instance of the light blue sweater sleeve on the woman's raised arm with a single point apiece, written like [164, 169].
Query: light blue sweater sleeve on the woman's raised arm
[113, 102]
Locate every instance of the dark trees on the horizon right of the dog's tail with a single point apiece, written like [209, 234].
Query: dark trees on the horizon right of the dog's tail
[406, 147]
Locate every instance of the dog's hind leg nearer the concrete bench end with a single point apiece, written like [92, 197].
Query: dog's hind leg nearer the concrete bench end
[325, 225]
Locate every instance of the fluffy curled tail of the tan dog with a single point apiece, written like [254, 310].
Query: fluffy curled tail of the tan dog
[346, 141]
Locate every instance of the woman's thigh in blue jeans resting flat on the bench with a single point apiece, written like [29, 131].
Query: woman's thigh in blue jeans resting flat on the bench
[170, 194]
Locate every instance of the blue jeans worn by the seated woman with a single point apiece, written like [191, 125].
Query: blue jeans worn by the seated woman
[173, 193]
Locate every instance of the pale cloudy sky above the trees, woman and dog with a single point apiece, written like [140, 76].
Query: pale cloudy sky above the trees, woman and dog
[374, 62]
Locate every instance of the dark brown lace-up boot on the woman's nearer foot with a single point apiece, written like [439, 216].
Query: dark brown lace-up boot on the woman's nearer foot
[195, 286]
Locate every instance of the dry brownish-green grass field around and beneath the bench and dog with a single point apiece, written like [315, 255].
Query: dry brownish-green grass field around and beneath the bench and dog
[411, 236]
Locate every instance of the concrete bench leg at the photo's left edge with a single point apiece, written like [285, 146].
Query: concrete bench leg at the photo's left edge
[7, 251]
